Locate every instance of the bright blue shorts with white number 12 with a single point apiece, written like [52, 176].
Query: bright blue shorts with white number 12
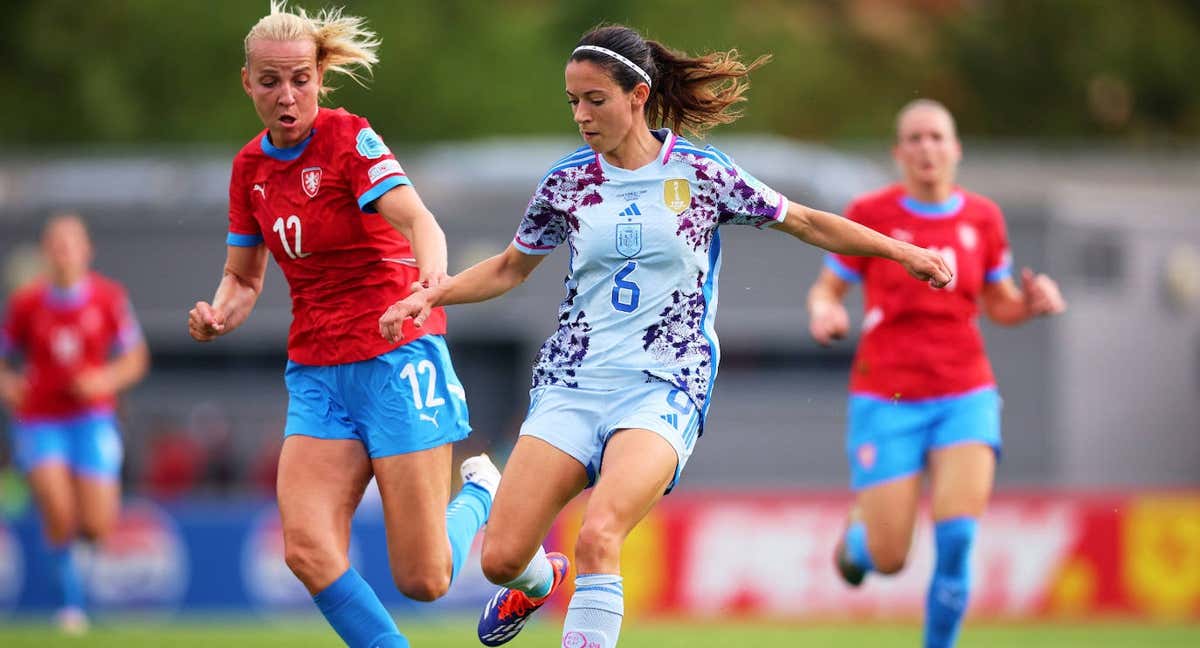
[404, 401]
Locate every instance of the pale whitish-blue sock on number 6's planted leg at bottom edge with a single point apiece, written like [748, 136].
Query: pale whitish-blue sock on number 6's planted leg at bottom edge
[593, 617]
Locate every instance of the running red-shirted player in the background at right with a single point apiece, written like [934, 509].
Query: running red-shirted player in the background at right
[923, 397]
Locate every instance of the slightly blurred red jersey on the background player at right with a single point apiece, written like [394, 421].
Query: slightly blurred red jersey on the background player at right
[921, 343]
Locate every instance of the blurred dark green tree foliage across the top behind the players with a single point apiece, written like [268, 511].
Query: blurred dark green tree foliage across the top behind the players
[153, 71]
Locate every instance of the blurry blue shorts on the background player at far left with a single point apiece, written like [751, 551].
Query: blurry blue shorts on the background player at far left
[89, 445]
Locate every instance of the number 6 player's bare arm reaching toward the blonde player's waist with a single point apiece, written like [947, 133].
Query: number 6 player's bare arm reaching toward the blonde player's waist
[488, 279]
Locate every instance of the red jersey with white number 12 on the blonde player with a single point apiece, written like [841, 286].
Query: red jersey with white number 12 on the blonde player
[314, 207]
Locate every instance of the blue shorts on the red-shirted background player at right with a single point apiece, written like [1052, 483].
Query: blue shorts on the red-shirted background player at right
[891, 440]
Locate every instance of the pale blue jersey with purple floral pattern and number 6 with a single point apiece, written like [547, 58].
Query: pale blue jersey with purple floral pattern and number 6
[645, 256]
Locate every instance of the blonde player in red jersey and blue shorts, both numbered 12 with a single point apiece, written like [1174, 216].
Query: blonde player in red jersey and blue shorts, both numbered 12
[321, 191]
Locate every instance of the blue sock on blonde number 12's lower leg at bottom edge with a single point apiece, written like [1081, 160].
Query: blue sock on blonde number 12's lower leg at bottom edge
[355, 611]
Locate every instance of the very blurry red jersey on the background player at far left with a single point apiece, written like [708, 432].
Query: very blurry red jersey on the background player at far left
[63, 333]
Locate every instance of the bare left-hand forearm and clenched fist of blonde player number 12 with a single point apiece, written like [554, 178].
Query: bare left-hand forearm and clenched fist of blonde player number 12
[237, 295]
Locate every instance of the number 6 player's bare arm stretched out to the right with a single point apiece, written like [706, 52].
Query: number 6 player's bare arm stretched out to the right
[845, 237]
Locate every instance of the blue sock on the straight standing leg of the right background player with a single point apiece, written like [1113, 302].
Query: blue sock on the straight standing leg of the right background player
[951, 587]
